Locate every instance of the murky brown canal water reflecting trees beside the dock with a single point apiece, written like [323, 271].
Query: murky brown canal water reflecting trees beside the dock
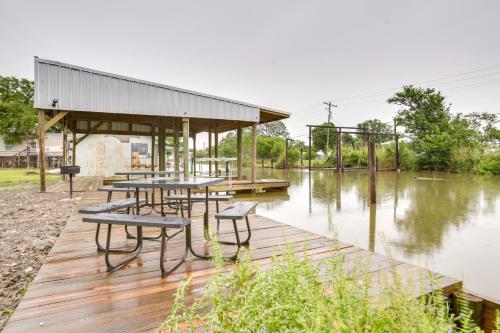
[451, 226]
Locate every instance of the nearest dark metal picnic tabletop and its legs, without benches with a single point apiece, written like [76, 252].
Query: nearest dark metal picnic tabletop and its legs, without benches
[175, 184]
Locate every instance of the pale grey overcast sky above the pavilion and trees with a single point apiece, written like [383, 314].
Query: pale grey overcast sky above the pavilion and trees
[287, 55]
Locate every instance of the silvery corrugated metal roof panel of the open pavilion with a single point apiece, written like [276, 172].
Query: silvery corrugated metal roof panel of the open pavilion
[82, 89]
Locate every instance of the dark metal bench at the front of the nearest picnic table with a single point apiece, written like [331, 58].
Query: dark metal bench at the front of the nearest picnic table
[140, 221]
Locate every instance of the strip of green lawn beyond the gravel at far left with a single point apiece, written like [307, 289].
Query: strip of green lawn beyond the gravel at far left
[14, 178]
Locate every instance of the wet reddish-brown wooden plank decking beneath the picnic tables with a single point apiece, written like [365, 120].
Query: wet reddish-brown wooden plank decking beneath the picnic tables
[72, 292]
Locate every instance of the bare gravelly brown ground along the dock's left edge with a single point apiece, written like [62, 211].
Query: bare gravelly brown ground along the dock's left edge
[30, 223]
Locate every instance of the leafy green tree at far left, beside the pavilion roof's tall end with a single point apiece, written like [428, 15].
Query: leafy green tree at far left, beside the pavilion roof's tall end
[18, 118]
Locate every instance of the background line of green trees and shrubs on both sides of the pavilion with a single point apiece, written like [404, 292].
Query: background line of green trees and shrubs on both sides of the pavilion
[436, 139]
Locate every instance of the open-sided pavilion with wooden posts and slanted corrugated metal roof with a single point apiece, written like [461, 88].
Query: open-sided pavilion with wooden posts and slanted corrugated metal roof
[89, 101]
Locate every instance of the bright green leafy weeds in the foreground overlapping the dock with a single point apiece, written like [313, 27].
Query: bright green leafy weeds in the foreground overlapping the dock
[297, 294]
